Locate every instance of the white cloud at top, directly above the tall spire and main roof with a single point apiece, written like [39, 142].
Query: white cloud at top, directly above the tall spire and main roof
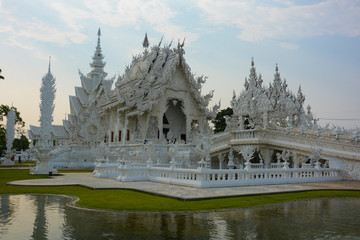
[156, 13]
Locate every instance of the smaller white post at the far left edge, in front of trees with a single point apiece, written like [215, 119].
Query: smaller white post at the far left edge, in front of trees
[10, 127]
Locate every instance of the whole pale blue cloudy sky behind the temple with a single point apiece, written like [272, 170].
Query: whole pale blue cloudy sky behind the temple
[316, 44]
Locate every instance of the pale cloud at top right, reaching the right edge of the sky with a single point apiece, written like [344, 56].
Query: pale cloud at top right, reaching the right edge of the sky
[287, 20]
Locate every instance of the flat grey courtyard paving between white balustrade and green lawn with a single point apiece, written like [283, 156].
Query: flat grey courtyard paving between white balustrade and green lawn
[182, 192]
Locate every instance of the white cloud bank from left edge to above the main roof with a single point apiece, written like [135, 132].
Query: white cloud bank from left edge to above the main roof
[75, 15]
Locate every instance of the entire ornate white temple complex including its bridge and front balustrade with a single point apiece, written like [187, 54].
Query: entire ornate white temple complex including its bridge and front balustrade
[153, 125]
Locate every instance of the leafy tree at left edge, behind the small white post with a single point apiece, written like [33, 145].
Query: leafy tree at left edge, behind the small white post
[4, 109]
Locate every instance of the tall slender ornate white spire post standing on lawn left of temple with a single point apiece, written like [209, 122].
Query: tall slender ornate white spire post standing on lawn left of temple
[45, 145]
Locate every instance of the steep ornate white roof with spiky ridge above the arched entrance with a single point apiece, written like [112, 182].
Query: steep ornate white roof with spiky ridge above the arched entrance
[148, 75]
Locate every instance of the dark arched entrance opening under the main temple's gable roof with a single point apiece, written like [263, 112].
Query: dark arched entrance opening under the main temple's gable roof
[174, 121]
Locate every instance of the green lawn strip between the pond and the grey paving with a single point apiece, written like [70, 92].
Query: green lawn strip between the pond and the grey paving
[118, 199]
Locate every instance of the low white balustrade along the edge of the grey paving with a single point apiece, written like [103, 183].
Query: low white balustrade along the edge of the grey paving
[204, 177]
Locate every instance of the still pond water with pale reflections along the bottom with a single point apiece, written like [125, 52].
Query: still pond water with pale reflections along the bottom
[48, 217]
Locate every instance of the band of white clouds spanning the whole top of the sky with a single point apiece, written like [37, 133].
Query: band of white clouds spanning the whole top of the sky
[277, 19]
